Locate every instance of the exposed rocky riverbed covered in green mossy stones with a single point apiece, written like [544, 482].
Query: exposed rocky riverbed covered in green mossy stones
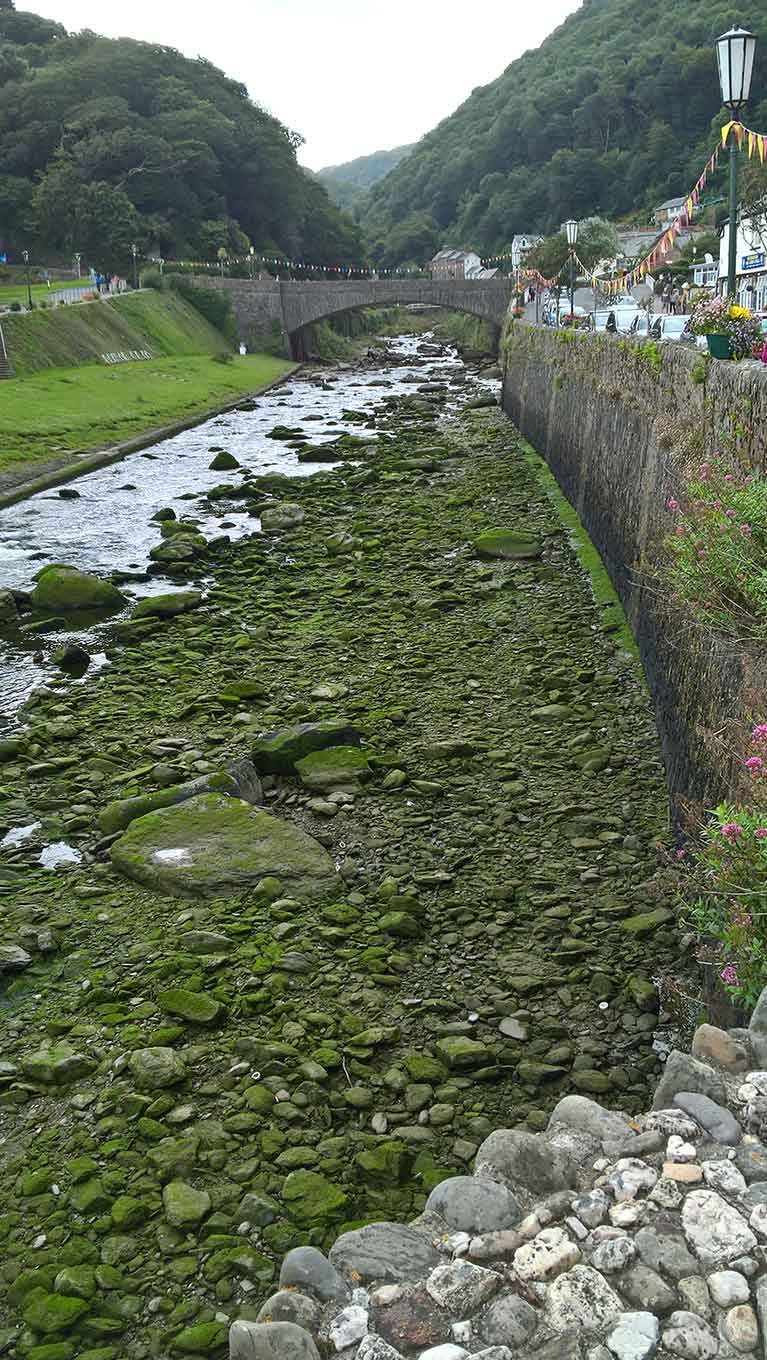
[360, 864]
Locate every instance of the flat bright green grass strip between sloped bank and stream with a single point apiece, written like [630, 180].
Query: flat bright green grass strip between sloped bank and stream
[62, 410]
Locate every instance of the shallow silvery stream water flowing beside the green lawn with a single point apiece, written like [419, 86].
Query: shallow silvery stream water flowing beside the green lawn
[108, 528]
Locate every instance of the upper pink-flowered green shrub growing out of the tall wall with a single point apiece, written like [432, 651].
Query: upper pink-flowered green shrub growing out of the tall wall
[719, 549]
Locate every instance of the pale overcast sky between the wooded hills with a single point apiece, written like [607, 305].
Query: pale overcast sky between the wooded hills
[353, 77]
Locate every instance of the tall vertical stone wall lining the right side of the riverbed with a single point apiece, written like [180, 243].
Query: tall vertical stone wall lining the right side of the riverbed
[619, 424]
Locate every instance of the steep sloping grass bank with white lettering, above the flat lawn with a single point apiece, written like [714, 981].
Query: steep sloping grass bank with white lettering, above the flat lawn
[164, 324]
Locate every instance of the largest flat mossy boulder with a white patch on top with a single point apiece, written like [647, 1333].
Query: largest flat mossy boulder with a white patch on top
[213, 845]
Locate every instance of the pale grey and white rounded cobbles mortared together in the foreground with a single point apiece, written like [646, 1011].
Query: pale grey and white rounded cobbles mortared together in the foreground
[604, 1238]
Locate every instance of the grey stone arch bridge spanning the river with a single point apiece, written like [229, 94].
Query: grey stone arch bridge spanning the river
[277, 311]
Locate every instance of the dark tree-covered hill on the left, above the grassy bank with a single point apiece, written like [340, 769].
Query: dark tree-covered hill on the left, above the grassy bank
[108, 142]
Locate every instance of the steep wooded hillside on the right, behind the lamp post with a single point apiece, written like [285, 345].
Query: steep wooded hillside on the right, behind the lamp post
[611, 115]
